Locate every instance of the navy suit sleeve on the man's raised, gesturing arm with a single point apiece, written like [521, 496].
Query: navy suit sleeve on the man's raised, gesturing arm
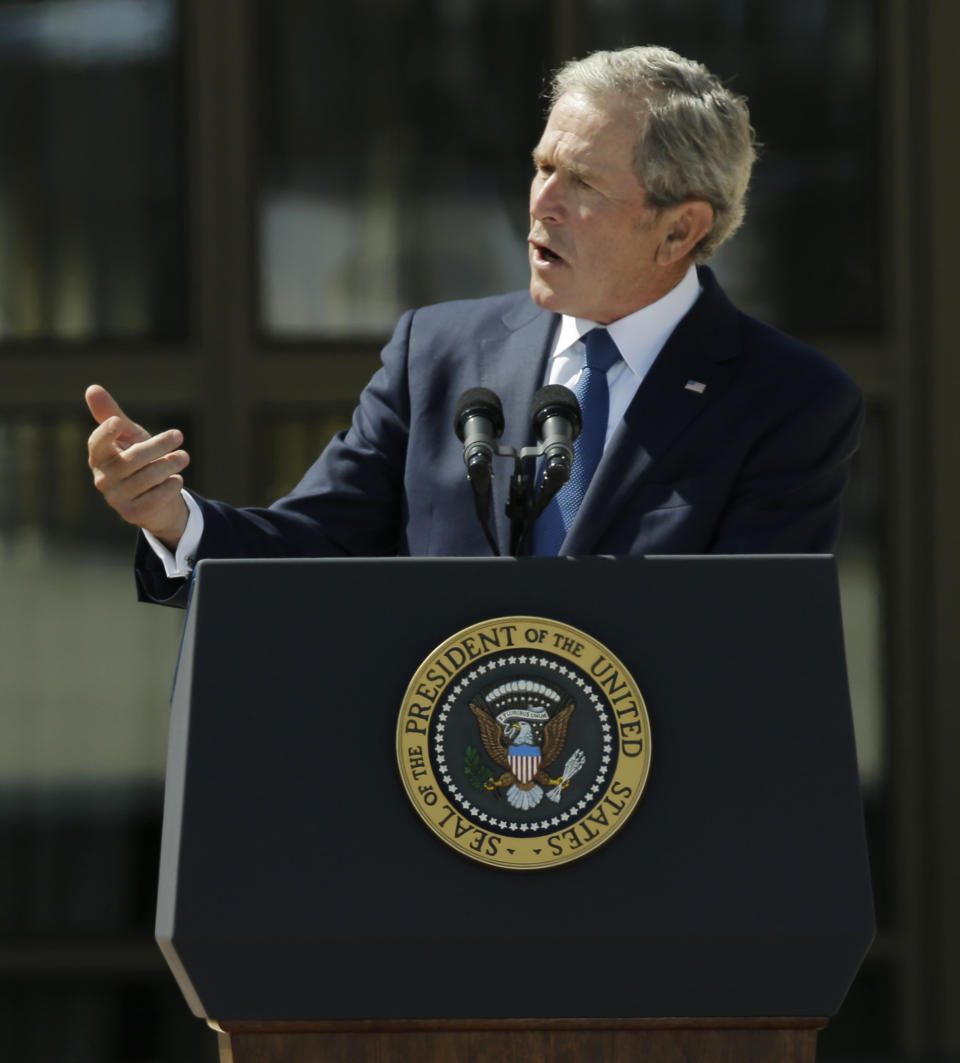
[349, 503]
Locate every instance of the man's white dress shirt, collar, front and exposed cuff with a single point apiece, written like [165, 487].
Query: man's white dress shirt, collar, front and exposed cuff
[639, 339]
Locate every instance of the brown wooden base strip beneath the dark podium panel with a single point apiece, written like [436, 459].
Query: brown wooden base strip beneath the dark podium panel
[526, 1041]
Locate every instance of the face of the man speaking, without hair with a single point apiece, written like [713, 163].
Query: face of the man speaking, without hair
[594, 240]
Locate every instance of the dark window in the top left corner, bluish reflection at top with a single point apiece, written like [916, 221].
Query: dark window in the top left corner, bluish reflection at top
[92, 241]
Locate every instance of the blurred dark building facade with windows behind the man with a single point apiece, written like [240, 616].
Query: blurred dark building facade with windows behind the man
[218, 209]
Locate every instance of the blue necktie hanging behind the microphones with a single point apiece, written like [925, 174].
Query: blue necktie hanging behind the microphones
[594, 396]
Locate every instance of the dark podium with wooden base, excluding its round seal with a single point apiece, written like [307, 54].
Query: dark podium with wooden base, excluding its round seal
[309, 915]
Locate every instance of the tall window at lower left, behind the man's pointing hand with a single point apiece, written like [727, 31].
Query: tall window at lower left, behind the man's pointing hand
[85, 684]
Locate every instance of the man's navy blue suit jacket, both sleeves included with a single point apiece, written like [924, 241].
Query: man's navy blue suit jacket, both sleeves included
[756, 463]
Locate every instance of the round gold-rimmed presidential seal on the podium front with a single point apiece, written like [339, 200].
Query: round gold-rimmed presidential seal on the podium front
[524, 744]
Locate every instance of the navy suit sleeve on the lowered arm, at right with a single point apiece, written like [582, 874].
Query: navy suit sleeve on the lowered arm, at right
[788, 496]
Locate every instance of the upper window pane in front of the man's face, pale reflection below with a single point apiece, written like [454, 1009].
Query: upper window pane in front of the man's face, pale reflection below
[395, 157]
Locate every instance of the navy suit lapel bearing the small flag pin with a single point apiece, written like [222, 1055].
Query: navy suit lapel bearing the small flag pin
[702, 350]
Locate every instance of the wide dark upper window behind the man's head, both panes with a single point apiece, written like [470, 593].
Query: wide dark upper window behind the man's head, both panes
[393, 177]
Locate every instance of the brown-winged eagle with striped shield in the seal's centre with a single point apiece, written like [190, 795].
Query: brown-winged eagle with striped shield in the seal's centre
[513, 746]
